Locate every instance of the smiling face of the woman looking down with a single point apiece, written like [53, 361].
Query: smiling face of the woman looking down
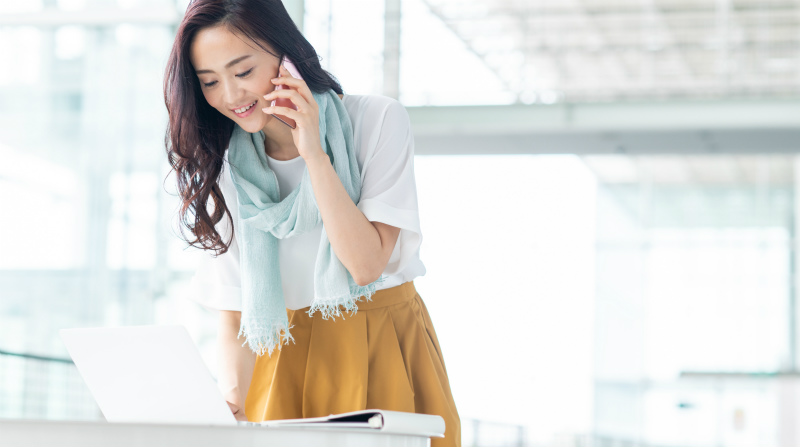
[234, 74]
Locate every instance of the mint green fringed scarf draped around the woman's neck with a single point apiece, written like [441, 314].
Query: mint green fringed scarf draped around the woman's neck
[264, 218]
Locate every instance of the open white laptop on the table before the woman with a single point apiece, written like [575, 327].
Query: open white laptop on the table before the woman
[147, 374]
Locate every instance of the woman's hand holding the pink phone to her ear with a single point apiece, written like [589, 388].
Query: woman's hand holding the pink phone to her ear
[306, 117]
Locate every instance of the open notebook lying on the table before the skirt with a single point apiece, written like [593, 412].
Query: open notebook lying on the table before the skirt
[381, 420]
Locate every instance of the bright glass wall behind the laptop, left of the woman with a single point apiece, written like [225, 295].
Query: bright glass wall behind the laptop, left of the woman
[88, 212]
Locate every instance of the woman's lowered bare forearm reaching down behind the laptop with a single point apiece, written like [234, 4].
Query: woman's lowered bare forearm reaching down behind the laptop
[236, 362]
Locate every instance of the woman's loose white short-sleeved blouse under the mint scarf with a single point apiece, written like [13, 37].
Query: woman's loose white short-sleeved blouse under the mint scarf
[384, 146]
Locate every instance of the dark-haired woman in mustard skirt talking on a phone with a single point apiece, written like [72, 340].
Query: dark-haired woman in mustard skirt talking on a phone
[338, 223]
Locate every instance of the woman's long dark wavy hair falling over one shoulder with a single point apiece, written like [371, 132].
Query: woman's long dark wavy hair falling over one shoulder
[197, 134]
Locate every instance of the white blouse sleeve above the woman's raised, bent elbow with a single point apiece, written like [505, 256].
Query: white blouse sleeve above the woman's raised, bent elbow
[388, 187]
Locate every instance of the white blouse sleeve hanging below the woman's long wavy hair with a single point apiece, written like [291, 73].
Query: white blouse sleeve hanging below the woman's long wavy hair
[216, 283]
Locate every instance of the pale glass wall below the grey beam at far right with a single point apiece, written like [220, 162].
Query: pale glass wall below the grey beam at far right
[695, 271]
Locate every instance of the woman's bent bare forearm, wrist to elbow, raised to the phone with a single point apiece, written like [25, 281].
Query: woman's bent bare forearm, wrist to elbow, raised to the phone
[364, 247]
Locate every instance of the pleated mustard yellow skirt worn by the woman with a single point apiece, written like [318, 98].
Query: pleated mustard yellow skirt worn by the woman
[384, 356]
